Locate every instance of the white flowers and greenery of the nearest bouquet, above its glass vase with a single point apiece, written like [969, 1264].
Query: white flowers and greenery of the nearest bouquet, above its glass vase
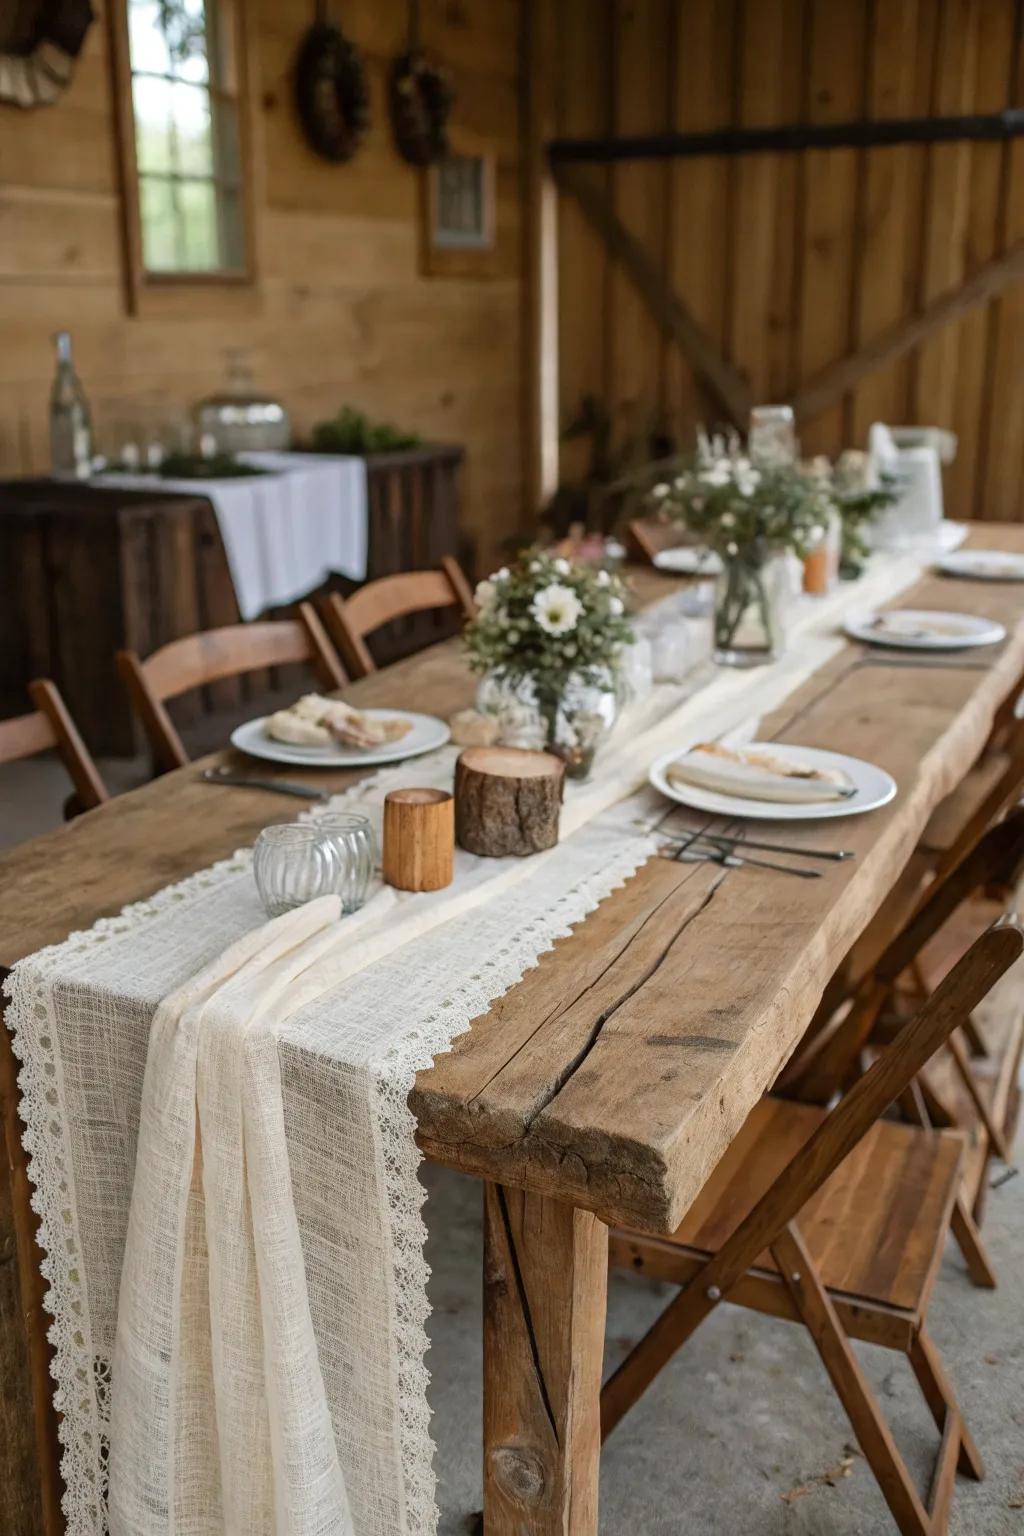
[549, 620]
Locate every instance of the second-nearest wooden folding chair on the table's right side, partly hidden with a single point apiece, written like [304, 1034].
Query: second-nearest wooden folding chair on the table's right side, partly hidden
[973, 1084]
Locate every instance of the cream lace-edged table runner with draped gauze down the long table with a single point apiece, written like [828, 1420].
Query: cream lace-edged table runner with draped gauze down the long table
[226, 1165]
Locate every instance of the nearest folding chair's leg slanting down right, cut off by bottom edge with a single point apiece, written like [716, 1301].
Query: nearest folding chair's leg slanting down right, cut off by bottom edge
[851, 1385]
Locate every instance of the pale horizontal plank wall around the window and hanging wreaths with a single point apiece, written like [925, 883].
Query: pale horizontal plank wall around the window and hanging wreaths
[340, 313]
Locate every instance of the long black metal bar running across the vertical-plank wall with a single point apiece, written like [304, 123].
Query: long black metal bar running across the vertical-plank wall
[793, 137]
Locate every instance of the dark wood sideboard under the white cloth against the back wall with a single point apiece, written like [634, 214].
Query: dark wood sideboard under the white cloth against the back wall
[87, 571]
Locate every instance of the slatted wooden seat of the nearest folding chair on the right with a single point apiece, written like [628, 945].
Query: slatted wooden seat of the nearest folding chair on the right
[876, 1230]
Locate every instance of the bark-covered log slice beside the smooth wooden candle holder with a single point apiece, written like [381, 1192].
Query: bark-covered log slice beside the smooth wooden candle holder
[507, 801]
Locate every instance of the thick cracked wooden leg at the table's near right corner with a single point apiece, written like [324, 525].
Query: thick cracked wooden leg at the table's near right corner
[546, 1289]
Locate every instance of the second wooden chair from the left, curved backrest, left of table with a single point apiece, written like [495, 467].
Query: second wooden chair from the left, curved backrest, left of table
[199, 660]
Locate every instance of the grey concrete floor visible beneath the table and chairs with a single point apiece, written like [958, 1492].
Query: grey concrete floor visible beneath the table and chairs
[742, 1434]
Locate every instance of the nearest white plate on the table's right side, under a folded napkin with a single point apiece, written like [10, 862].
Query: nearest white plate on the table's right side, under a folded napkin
[873, 786]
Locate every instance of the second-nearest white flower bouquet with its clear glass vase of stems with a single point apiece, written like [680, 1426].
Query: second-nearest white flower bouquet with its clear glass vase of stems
[753, 514]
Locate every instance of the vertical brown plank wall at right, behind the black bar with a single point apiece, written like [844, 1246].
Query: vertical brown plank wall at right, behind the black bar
[791, 262]
